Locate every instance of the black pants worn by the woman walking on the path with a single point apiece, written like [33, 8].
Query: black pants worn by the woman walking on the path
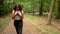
[18, 25]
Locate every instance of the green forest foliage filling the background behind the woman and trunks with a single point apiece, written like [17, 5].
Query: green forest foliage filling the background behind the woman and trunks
[28, 5]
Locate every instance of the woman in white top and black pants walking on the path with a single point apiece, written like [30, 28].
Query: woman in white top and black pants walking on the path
[18, 18]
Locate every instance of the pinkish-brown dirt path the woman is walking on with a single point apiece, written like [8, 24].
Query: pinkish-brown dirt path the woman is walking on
[27, 28]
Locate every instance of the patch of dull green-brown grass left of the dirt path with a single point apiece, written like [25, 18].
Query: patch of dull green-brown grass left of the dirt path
[4, 21]
